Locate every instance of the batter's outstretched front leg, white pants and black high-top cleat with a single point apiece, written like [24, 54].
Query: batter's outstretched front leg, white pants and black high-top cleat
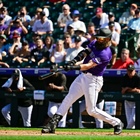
[75, 92]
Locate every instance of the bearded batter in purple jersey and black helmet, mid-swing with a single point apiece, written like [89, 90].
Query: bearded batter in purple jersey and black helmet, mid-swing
[96, 57]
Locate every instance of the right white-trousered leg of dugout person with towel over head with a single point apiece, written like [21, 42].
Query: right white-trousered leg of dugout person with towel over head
[26, 113]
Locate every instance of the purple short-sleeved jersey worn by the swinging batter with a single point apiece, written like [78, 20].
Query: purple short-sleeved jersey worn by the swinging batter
[100, 57]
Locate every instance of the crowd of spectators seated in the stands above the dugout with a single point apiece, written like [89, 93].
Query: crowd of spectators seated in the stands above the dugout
[42, 38]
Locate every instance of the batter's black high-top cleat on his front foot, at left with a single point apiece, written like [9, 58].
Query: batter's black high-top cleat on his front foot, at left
[52, 124]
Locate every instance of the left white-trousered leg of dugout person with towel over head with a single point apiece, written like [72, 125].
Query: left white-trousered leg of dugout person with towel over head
[6, 113]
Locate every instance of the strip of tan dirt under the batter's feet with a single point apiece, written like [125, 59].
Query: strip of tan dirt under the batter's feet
[37, 133]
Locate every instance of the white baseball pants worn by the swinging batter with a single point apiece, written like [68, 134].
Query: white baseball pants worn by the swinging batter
[89, 86]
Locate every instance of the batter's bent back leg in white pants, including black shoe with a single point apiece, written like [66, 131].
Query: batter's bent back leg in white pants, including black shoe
[93, 86]
